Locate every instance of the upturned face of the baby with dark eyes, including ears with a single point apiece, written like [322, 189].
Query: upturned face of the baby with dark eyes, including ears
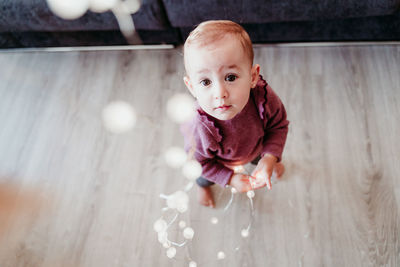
[220, 76]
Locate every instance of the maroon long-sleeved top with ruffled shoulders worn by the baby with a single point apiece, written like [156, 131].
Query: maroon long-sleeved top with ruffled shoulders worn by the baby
[260, 128]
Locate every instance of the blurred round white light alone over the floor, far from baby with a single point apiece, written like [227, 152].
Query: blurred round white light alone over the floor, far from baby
[119, 117]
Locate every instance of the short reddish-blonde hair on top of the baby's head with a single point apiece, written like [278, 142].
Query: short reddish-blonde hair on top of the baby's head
[211, 31]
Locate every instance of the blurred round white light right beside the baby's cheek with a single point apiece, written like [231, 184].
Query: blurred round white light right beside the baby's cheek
[180, 108]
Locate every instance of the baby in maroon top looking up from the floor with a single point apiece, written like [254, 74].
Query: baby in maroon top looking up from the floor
[239, 118]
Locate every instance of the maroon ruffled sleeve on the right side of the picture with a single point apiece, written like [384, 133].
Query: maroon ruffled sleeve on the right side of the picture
[273, 115]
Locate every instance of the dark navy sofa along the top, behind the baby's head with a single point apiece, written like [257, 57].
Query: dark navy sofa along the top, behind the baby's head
[30, 23]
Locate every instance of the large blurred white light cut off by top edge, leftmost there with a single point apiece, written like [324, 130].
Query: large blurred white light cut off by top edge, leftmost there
[71, 9]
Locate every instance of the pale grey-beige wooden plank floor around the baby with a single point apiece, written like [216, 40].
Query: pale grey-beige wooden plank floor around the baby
[73, 194]
